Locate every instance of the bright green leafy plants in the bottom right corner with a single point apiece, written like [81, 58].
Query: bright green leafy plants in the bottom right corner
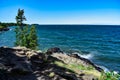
[110, 76]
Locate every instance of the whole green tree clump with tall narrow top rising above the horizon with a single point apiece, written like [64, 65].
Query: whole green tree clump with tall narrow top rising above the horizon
[25, 36]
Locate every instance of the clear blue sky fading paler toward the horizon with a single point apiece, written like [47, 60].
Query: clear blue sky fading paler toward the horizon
[102, 12]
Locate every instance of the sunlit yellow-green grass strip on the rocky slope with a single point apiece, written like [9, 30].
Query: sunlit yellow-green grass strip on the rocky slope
[77, 68]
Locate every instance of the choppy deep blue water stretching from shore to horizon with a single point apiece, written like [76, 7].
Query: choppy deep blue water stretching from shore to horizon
[100, 44]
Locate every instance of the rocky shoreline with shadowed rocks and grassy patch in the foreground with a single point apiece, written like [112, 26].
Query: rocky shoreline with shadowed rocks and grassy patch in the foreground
[20, 63]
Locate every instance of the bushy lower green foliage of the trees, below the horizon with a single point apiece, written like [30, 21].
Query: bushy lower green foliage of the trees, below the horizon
[26, 37]
